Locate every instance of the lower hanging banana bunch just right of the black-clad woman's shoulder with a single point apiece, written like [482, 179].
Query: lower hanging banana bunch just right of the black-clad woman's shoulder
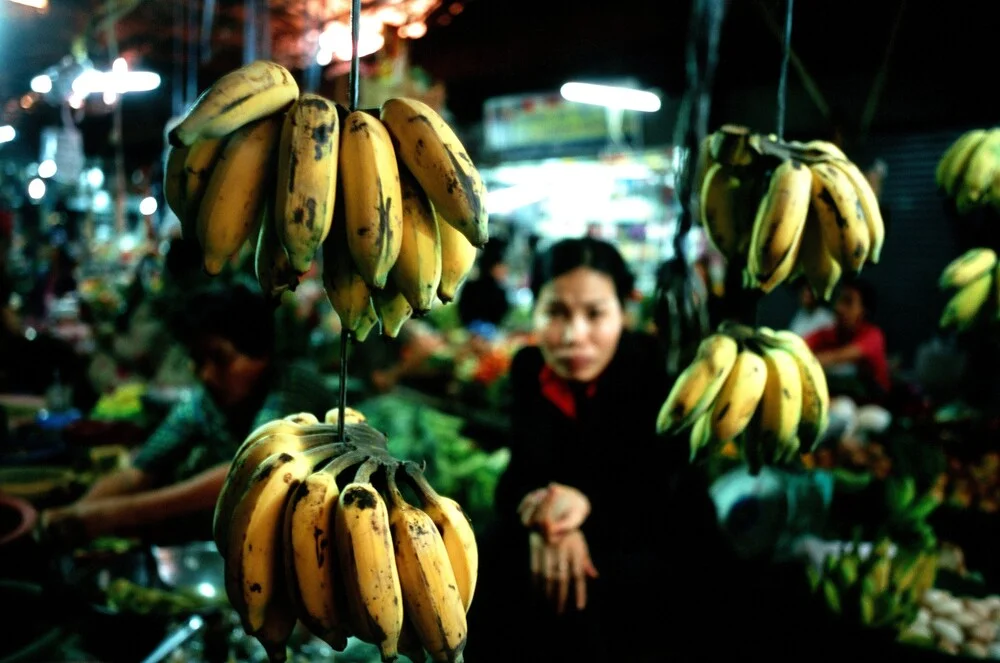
[761, 389]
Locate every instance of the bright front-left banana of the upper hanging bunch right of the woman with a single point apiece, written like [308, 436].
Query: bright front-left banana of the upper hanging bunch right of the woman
[778, 226]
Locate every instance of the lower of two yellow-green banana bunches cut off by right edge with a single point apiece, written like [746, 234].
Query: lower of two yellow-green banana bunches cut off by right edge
[973, 276]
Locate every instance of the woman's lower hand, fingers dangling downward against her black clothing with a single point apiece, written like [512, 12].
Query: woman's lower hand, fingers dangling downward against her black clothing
[560, 564]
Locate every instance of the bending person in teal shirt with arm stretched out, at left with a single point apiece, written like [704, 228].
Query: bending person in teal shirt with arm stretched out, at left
[179, 471]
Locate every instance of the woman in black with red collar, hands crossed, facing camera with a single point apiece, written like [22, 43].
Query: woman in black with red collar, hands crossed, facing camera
[595, 511]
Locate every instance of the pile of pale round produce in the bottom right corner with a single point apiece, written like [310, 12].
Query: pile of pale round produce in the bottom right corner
[957, 625]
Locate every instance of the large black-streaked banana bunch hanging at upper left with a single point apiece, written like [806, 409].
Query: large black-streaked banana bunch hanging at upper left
[389, 198]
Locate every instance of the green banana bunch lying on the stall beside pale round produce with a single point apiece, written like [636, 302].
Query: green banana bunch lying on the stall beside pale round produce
[880, 590]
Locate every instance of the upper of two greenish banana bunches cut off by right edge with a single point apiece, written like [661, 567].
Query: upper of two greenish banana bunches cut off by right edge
[969, 171]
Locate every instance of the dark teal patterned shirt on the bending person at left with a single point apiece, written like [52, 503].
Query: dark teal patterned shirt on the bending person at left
[196, 436]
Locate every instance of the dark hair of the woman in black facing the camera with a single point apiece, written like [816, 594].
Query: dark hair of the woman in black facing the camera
[568, 254]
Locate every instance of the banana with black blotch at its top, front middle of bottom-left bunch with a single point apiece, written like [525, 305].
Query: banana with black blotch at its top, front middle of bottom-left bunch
[368, 565]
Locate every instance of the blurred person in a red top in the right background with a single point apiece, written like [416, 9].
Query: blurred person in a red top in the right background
[852, 350]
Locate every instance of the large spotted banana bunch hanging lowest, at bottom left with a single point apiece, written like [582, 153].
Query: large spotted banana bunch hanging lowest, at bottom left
[318, 530]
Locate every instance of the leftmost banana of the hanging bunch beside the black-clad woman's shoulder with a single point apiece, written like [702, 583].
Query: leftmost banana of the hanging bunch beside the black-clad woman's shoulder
[698, 385]
